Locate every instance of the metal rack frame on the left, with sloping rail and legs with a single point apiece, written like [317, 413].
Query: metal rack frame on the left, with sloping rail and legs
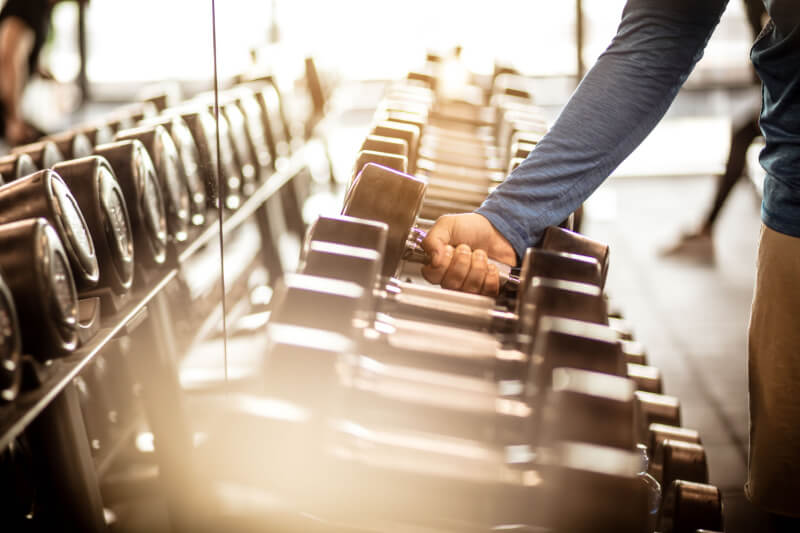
[47, 411]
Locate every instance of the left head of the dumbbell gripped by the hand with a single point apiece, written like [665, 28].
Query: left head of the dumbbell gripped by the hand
[388, 196]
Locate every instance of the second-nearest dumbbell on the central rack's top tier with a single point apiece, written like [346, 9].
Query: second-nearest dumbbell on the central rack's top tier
[376, 391]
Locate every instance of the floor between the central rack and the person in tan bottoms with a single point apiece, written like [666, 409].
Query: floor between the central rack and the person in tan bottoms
[690, 312]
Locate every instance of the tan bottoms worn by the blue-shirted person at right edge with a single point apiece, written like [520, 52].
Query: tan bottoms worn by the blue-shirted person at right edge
[773, 481]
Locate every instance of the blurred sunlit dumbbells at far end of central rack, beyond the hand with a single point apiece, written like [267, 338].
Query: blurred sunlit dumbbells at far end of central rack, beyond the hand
[462, 151]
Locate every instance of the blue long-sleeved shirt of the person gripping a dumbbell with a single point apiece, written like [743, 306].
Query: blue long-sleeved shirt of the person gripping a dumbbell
[627, 92]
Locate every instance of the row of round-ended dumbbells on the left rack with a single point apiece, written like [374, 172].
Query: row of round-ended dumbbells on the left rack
[99, 210]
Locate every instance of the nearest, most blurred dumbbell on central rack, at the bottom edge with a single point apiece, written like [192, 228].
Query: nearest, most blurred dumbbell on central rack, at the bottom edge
[394, 475]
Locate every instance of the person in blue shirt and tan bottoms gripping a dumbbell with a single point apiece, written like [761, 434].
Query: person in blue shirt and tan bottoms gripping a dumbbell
[615, 107]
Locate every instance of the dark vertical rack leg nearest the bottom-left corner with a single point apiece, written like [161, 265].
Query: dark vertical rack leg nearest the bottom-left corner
[68, 495]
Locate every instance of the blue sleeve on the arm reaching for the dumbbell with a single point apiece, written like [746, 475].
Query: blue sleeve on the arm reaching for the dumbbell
[614, 108]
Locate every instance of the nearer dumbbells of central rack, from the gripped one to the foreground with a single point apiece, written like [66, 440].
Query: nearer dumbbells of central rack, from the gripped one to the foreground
[467, 411]
